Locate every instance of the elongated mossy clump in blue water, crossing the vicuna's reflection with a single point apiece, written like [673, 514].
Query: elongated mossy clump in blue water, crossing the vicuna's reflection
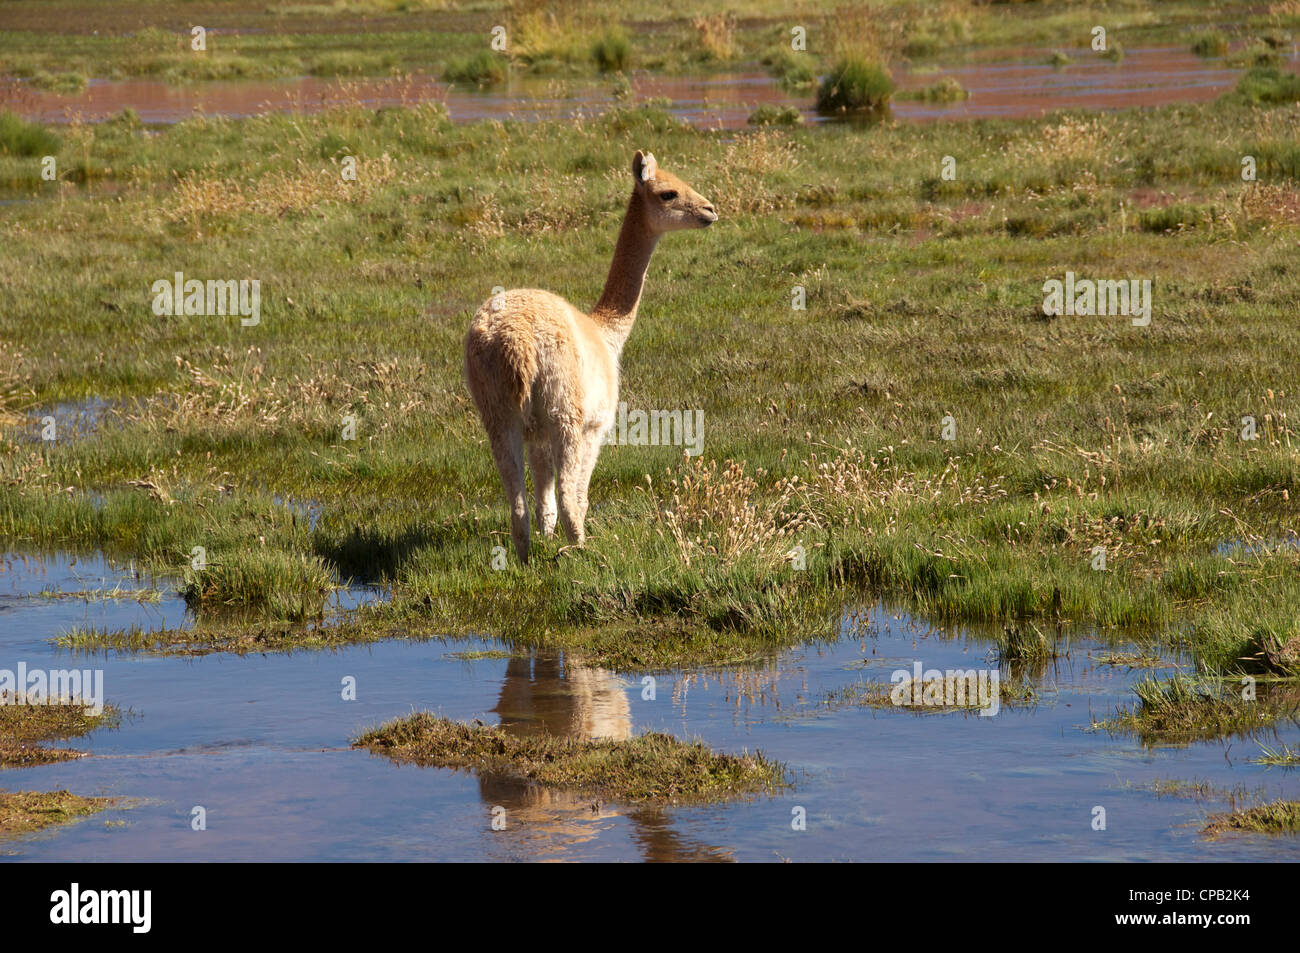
[651, 768]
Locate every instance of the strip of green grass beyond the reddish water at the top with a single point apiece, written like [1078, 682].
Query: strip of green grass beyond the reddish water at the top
[374, 37]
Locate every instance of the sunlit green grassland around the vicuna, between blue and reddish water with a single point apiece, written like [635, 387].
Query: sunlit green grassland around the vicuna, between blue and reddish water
[924, 301]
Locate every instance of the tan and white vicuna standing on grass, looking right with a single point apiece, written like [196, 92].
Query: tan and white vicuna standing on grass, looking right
[545, 374]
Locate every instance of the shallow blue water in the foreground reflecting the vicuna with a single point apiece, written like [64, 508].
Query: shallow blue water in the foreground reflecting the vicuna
[262, 743]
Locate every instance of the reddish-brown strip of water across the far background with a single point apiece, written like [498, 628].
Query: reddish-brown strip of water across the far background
[1003, 84]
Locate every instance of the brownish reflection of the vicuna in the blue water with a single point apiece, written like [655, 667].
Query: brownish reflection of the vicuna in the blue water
[548, 696]
